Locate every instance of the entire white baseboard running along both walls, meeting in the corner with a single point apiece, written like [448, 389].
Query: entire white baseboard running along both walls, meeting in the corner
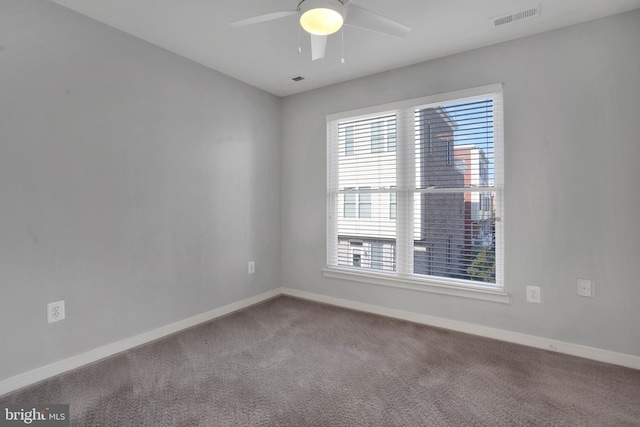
[48, 371]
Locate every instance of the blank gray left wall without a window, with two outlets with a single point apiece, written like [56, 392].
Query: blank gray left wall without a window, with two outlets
[134, 184]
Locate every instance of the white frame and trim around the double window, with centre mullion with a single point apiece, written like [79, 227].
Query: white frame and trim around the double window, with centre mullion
[405, 185]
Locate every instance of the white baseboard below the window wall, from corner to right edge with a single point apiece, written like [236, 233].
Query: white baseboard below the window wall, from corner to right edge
[578, 350]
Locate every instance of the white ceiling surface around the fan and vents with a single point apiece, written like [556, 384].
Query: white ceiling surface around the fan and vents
[266, 55]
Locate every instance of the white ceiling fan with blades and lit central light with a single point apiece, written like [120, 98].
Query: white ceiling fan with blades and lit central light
[321, 18]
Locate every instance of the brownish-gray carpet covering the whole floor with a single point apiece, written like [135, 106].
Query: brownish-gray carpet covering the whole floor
[290, 362]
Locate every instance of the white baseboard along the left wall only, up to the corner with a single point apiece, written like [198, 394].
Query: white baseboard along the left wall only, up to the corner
[74, 362]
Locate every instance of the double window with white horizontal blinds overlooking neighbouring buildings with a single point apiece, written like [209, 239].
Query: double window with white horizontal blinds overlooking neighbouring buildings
[421, 188]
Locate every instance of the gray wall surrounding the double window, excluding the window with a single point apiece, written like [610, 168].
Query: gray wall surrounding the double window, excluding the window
[572, 142]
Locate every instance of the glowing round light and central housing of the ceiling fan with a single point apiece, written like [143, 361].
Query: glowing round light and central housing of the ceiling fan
[321, 17]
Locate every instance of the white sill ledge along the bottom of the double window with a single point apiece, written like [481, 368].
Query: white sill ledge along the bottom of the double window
[443, 288]
